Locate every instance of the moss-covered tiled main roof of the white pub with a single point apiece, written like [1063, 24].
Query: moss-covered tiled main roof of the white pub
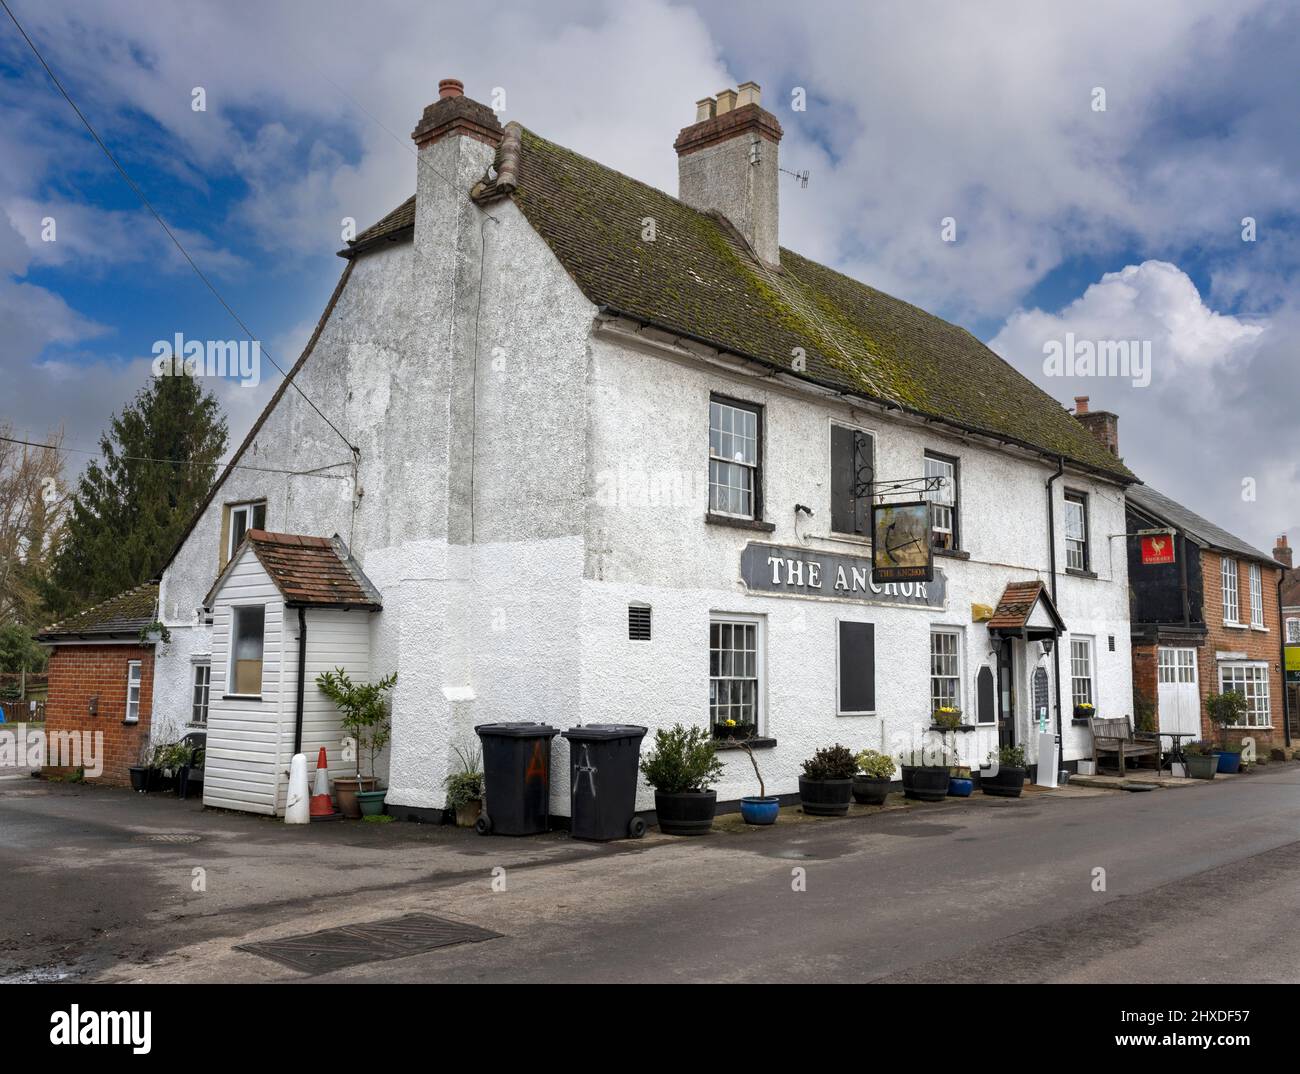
[697, 279]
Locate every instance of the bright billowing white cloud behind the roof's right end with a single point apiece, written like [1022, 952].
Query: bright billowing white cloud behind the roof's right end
[1223, 401]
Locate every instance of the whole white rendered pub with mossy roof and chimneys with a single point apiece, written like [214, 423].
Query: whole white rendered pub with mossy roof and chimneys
[606, 456]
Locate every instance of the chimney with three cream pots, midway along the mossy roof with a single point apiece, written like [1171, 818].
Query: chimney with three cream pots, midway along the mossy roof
[727, 162]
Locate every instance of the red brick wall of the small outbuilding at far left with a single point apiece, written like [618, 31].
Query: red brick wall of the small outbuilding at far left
[80, 672]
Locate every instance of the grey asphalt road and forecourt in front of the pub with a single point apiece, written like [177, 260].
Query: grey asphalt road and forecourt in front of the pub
[1197, 885]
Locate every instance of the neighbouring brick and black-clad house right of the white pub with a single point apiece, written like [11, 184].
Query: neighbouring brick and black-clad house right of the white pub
[1206, 623]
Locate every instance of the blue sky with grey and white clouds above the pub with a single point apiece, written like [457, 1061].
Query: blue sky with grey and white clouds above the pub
[1124, 223]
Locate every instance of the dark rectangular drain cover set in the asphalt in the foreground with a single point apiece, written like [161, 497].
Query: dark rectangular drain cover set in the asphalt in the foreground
[374, 942]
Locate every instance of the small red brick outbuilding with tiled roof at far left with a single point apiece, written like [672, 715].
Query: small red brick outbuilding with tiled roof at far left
[102, 679]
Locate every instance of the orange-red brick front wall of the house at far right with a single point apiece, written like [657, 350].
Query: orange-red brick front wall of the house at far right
[1258, 646]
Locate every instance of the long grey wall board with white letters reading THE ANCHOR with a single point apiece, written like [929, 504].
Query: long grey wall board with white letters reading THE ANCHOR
[809, 573]
